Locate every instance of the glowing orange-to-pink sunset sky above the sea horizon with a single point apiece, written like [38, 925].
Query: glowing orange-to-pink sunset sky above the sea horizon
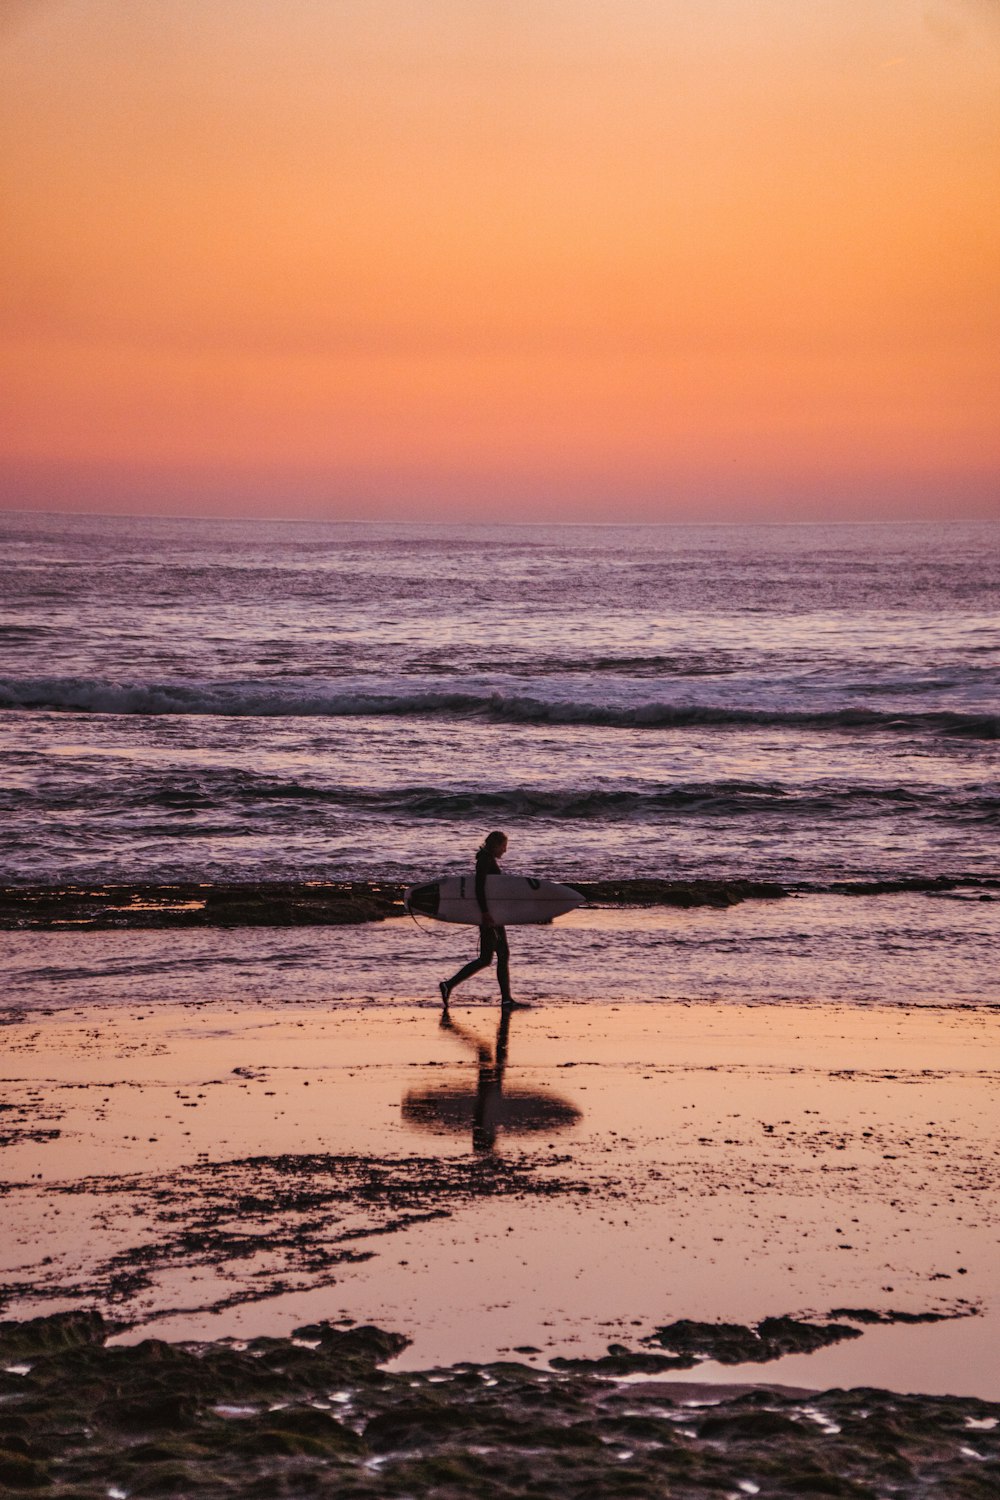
[501, 259]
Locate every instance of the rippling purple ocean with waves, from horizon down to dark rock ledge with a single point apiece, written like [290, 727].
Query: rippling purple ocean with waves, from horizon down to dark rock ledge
[221, 700]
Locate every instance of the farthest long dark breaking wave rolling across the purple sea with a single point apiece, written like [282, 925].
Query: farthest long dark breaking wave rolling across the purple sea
[274, 700]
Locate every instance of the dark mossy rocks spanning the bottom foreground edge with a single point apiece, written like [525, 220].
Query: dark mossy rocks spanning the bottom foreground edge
[85, 1418]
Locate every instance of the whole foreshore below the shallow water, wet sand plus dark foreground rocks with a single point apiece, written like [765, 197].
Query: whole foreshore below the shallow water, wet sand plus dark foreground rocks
[591, 1223]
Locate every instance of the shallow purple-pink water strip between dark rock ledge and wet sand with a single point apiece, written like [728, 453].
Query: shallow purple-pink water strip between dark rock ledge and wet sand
[887, 950]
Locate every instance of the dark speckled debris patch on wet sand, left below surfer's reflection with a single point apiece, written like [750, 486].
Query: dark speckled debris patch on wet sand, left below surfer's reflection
[269, 1226]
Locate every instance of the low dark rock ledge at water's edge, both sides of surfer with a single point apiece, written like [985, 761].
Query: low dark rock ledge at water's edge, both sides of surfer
[143, 905]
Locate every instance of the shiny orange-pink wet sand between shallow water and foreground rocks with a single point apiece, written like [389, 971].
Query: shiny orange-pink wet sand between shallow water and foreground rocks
[596, 1175]
